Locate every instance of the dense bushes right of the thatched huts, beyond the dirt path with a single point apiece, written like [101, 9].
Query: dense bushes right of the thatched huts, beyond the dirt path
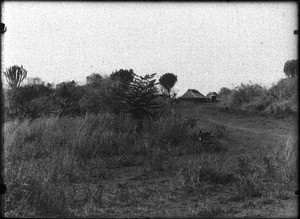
[279, 100]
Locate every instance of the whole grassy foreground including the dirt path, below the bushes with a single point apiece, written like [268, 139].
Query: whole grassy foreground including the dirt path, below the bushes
[101, 165]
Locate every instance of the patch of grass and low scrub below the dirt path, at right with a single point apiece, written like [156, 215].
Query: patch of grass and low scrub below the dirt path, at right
[268, 174]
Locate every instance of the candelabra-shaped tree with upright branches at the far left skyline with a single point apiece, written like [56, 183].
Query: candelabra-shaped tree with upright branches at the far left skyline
[15, 75]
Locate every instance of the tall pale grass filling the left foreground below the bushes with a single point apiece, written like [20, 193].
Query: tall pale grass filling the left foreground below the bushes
[45, 156]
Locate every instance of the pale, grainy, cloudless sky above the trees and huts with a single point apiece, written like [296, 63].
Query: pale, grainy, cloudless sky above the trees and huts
[208, 45]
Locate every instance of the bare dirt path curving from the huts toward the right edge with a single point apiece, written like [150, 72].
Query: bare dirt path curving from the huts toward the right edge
[245, 130]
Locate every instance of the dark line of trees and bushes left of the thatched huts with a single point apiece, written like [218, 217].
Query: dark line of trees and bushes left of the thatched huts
[122, 91]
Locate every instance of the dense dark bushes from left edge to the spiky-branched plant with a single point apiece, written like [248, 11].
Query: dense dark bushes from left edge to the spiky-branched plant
[36, 100]
